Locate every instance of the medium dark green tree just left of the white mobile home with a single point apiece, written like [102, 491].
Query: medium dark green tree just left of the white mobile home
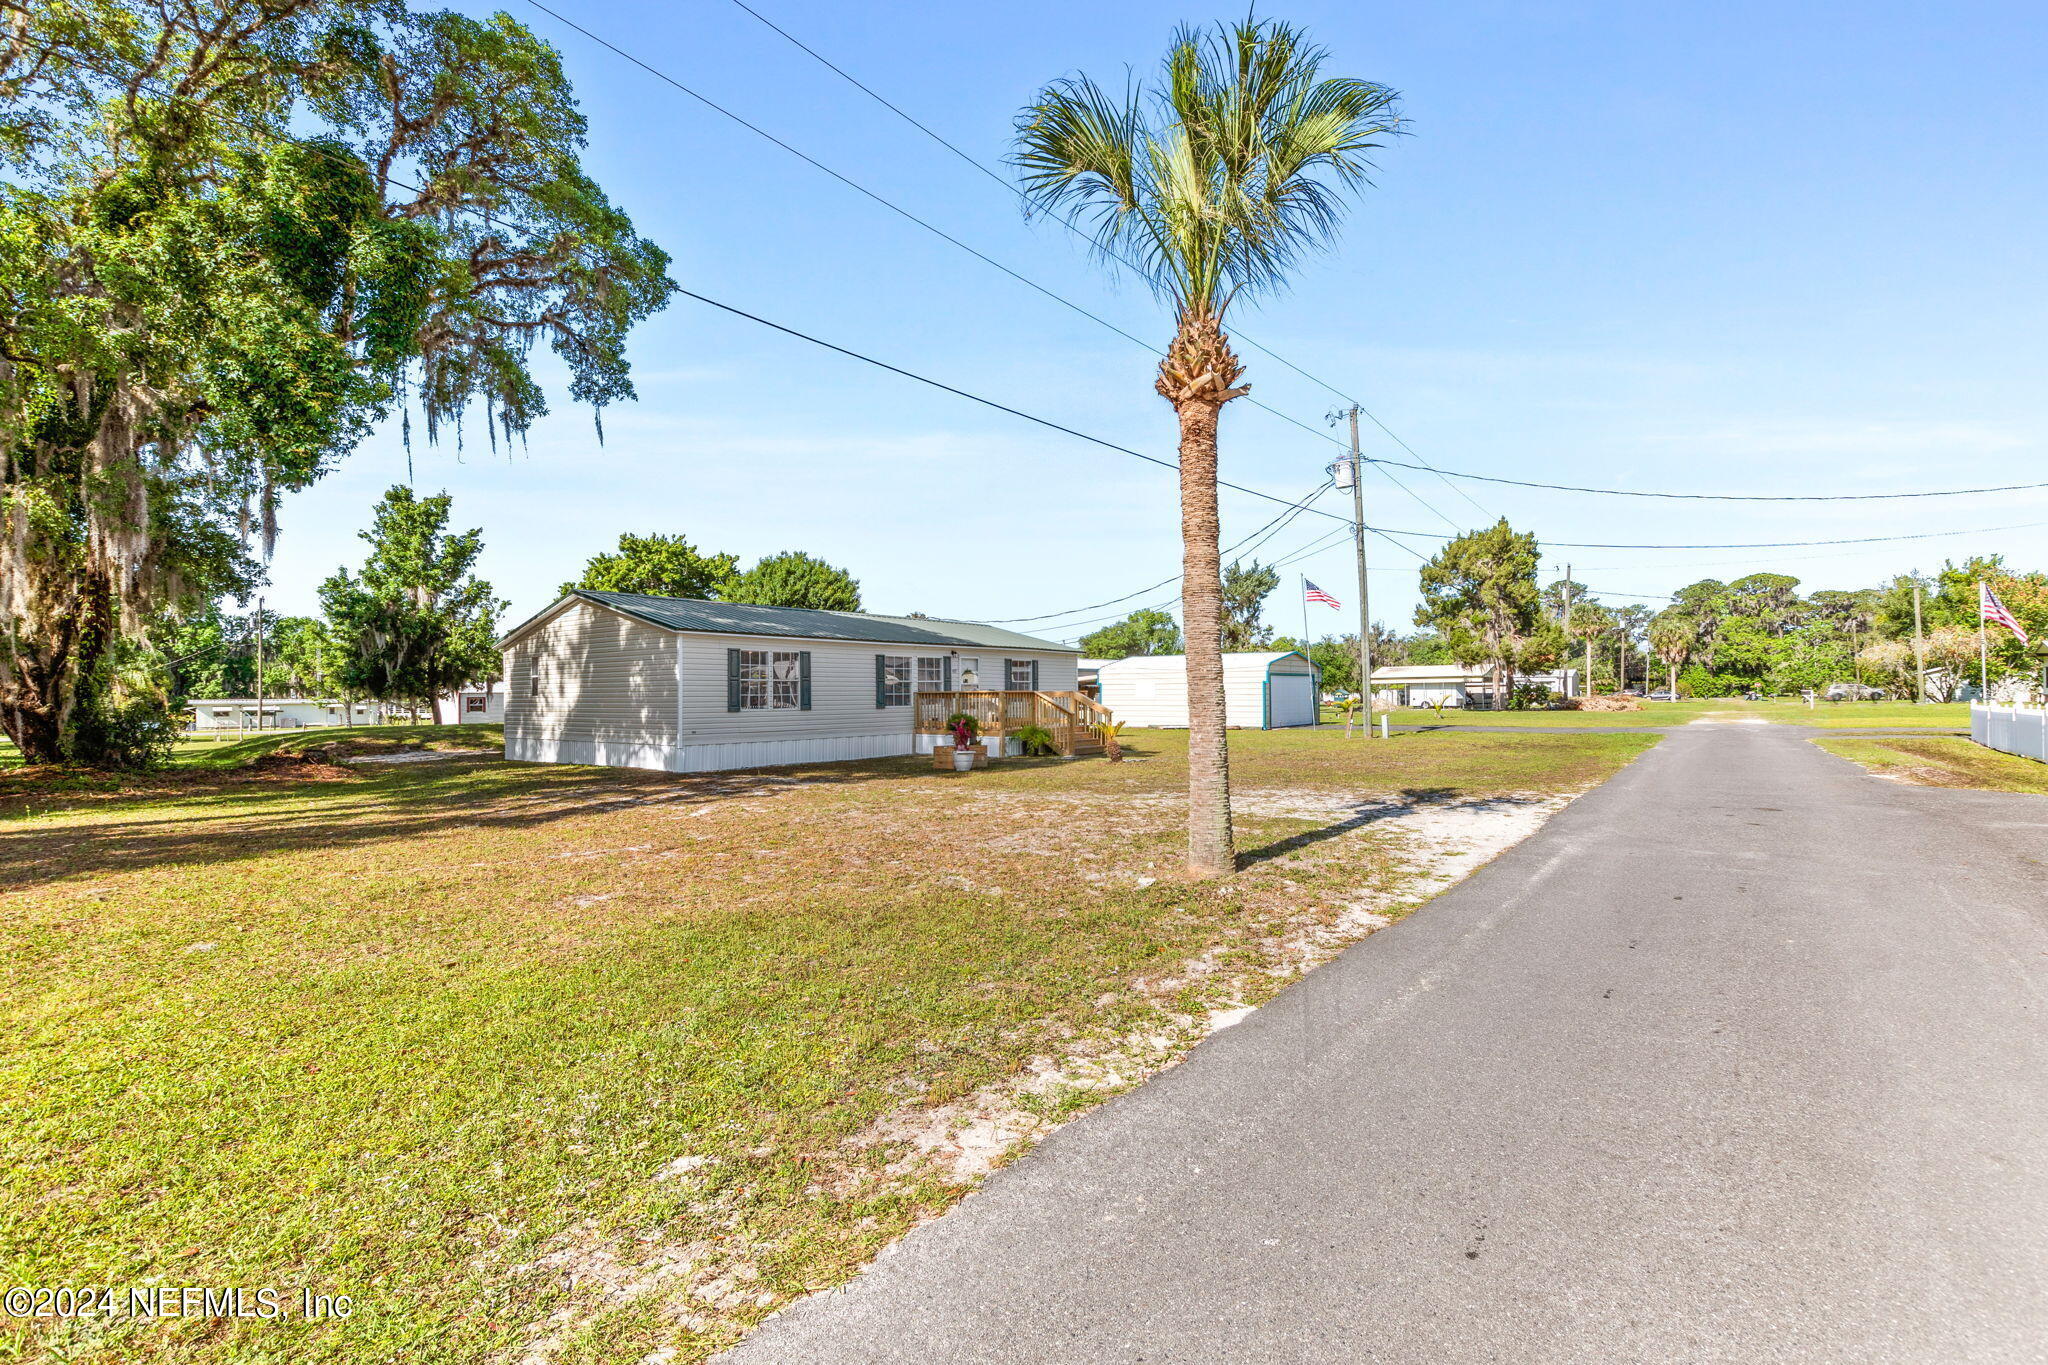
[417, 623]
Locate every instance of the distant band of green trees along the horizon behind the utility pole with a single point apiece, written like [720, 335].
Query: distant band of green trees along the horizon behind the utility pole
[1486, 607]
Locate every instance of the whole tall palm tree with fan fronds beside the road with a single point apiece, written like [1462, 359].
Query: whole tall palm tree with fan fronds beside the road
[1209, 187]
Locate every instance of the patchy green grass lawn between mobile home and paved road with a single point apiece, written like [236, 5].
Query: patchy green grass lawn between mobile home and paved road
[474, 1041]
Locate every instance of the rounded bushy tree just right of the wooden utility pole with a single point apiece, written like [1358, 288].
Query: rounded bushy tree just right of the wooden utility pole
[1480, 592]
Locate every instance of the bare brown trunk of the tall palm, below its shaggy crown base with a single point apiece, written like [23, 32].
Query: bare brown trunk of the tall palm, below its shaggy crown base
[1211, 848]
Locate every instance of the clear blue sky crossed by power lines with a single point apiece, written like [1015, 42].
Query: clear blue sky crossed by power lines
[1781, 249]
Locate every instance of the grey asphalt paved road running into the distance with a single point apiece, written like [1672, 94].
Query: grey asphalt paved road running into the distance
[1742, 1059]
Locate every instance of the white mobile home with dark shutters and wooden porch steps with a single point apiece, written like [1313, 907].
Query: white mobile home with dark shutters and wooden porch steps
[703, 687]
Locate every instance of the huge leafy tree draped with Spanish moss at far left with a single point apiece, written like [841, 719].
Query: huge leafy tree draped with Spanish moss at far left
[237, 236]
